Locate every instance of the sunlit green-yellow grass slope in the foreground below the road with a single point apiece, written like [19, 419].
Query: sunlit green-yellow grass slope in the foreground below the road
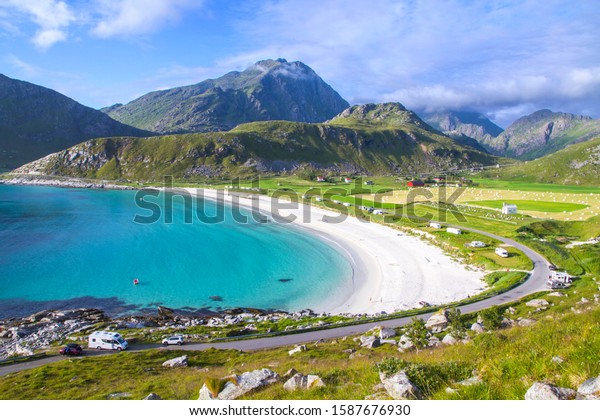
[508, 360]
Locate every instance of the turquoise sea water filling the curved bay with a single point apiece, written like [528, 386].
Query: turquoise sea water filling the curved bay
[64, 248]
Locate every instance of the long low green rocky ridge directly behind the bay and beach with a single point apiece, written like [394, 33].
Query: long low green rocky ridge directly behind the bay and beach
[381, 139]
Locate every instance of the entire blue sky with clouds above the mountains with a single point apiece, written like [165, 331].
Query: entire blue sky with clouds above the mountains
[503, 58]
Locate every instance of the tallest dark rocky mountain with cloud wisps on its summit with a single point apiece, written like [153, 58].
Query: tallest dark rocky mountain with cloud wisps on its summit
[268, 90]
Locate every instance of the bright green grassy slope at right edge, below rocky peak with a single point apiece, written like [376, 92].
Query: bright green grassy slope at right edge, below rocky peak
[577, 164]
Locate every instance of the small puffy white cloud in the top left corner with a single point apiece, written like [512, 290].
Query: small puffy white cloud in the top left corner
[52, 17]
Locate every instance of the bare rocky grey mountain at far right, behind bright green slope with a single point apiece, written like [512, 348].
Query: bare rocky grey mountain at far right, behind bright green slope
[541, 133]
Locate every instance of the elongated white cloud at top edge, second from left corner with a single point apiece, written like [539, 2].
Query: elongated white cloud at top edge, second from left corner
[134, 17]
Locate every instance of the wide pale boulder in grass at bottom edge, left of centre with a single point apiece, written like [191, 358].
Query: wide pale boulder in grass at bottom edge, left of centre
[238, 385]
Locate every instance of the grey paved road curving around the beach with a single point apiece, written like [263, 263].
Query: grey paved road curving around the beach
[535, 283]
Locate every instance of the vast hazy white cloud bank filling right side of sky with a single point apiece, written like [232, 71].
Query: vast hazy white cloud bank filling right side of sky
[486, 56]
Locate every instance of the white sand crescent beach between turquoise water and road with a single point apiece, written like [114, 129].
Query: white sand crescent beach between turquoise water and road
[392, 271]
